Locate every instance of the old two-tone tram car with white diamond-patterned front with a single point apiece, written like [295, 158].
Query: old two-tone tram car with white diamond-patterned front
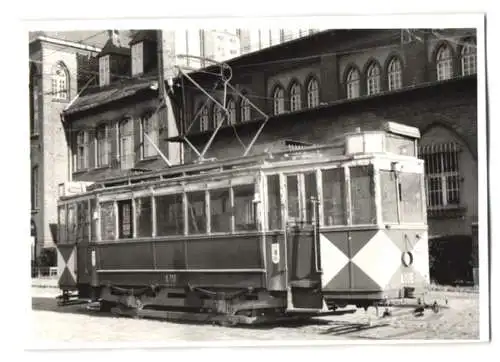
[303, 230]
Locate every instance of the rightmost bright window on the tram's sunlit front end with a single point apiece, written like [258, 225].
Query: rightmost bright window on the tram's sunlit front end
[411, 197]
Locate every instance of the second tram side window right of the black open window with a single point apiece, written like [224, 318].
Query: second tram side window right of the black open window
[169, 215]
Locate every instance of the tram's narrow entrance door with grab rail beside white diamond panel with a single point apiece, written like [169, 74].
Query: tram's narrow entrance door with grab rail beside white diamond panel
[303, 264]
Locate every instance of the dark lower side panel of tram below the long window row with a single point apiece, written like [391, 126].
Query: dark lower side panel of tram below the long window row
[215, 261]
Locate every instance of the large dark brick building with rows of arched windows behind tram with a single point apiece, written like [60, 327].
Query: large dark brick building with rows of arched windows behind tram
[316, 87]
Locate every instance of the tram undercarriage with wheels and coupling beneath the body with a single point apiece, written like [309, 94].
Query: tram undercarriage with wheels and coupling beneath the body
[230, 307]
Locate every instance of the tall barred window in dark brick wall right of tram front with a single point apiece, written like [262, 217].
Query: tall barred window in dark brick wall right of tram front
[442, 175]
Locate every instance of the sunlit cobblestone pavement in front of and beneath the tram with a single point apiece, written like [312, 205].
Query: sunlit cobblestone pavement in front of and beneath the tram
[73, 323]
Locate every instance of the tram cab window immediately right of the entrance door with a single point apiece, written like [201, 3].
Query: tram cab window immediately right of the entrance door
[334, 197]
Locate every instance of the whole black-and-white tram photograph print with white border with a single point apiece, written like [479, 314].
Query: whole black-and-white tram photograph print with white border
[295, 182]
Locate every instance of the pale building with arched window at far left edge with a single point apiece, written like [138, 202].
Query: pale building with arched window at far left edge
[56, 73]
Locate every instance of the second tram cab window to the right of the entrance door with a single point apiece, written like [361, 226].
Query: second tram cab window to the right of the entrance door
[362, 195]
